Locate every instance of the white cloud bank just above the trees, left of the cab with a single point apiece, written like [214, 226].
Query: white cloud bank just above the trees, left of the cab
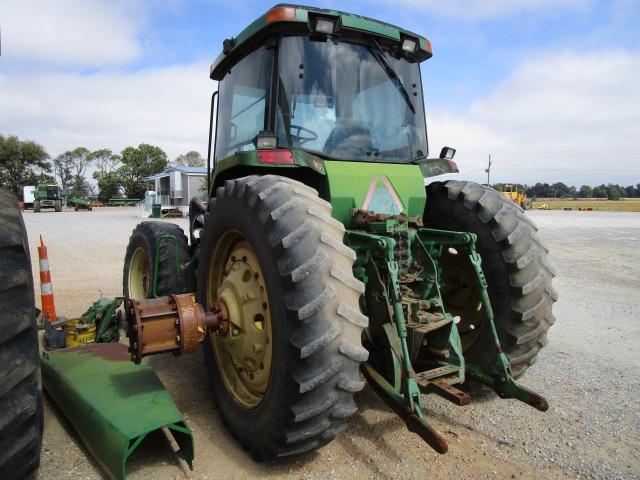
[168, 107]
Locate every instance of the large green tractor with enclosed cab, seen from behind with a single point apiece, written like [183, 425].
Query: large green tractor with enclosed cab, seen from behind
[321, 261]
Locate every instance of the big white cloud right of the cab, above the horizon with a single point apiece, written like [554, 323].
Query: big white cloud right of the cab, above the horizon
[567, 116]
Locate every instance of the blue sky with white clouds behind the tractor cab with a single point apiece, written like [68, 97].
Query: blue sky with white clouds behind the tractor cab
[549, 88]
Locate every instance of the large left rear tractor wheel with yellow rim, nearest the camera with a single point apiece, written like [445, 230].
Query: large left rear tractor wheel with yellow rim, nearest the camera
[285, 372]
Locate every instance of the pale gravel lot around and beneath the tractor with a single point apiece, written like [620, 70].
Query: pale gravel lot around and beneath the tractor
[589, 373]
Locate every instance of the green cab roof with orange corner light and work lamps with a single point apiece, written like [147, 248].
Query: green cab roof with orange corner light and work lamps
[289, 18]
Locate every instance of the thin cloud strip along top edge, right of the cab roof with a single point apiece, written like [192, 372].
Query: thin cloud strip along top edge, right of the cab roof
[493, 9]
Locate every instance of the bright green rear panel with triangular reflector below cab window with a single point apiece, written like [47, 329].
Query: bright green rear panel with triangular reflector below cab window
[380, 187]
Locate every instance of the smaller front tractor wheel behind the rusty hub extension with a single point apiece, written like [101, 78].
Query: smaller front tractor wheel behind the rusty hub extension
[140, 261]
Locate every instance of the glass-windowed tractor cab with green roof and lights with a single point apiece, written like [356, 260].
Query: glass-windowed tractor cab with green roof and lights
[337, 86]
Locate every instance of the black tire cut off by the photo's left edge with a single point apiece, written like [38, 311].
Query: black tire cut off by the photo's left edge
[20, 385]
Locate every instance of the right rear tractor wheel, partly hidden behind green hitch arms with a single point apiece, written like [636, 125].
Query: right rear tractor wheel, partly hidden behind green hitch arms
[515, 265]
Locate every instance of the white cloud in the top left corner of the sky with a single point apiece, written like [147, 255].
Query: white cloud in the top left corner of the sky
[69, 32]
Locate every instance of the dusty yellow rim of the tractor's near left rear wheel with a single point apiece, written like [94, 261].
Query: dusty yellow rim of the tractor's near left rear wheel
[243, 351]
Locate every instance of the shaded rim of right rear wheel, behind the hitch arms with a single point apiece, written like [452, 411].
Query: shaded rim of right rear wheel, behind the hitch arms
[461, 295]
